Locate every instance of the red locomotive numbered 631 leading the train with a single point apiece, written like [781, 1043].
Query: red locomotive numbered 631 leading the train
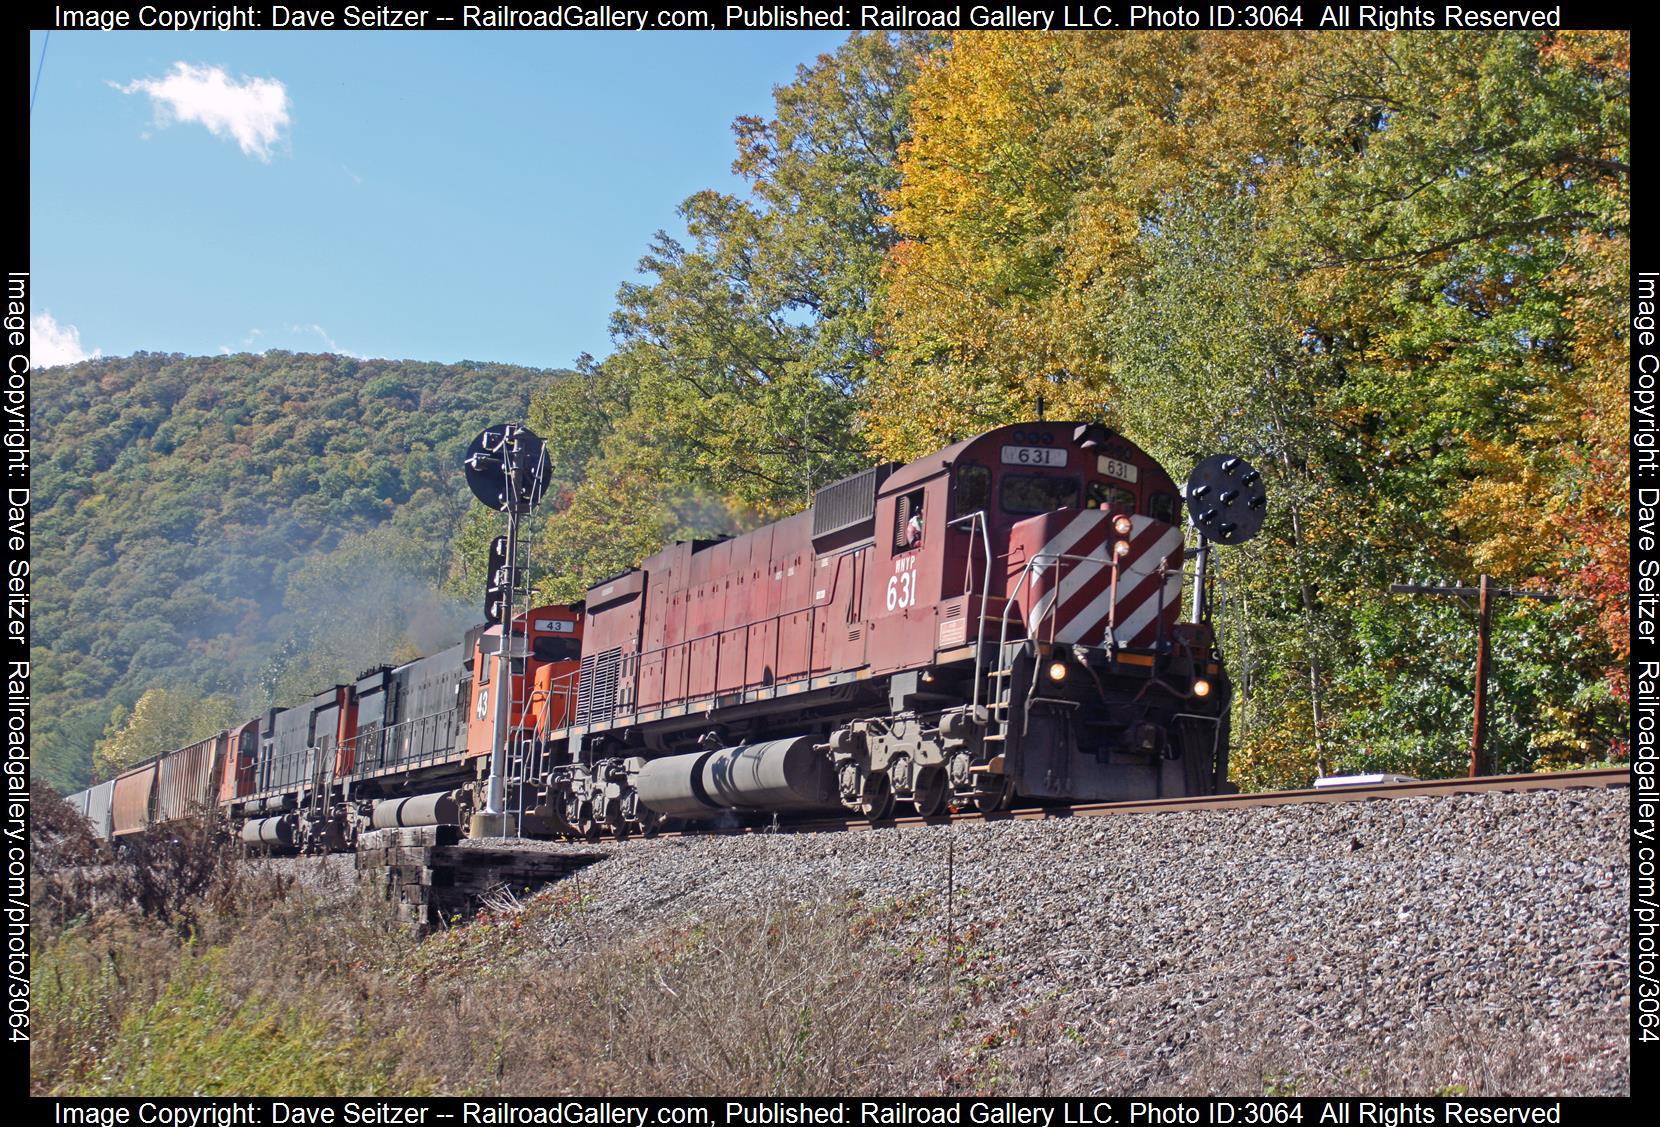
[997, 620]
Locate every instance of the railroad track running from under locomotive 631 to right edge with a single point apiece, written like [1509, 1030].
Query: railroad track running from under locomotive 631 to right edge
[1418, 789]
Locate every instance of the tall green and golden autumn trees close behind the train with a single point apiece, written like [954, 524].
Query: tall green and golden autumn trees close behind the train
[1387, 268]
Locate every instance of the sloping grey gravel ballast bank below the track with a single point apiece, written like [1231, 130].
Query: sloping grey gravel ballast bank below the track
[1457, 945]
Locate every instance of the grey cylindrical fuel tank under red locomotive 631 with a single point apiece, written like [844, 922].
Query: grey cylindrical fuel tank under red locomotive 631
[786, 774]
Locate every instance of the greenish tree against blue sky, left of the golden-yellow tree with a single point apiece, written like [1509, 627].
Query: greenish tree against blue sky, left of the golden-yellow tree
[743, 358]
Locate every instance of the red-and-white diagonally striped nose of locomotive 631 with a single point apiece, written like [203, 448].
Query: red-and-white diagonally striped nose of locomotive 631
[1075, 597]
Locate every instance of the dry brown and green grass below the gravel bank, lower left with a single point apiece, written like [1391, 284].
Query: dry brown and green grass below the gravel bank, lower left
[280, 990]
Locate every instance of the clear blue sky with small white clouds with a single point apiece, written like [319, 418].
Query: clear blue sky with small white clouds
[434, 197]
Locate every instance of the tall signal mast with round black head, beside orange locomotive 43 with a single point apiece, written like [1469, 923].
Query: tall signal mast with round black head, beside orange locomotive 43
[507, 469]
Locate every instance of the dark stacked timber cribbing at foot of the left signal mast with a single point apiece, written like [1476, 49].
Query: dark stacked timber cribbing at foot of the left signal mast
[432, 877]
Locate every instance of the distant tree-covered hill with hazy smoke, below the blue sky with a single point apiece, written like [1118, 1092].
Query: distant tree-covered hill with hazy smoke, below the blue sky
[240, 530]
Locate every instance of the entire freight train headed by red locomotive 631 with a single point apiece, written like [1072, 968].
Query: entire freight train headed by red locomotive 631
[998, 620]
